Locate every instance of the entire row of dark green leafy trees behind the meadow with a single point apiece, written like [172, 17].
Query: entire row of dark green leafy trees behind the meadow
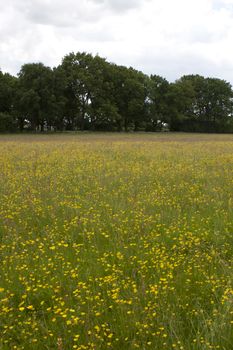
[86, 92]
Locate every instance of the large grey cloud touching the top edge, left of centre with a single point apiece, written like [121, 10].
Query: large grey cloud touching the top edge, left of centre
[70, 12]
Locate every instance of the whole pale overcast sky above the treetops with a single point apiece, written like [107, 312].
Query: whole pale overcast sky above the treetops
[170, 38]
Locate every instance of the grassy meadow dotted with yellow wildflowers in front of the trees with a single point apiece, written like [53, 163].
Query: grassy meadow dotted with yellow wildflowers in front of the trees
[116, 242]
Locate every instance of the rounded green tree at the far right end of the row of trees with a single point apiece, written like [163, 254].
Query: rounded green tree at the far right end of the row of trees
[205, 104]
